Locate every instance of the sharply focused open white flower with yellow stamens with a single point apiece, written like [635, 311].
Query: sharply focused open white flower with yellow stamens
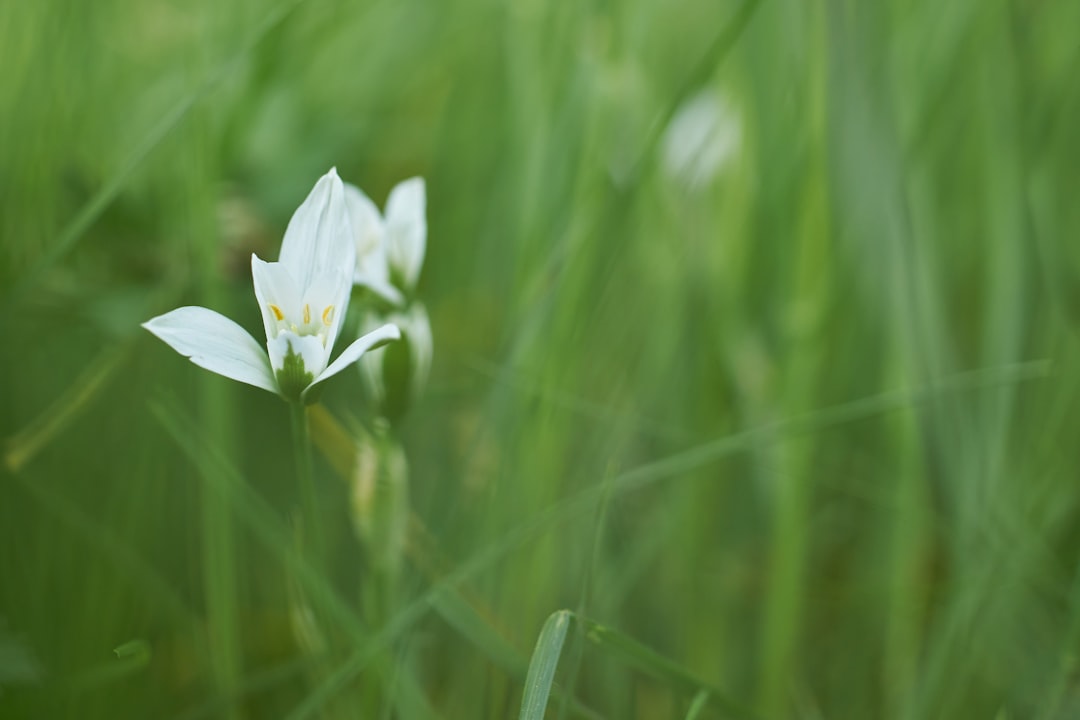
[303, 298]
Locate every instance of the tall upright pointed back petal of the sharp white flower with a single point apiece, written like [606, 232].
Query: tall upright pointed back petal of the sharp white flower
[319, 237]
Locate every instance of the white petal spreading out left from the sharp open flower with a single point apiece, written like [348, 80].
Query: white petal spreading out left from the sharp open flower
[215, 343]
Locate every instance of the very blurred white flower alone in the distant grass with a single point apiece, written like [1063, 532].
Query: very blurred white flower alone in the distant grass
[701, 139]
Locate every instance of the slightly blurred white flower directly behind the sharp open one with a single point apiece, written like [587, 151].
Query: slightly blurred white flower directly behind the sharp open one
[389, 250]
